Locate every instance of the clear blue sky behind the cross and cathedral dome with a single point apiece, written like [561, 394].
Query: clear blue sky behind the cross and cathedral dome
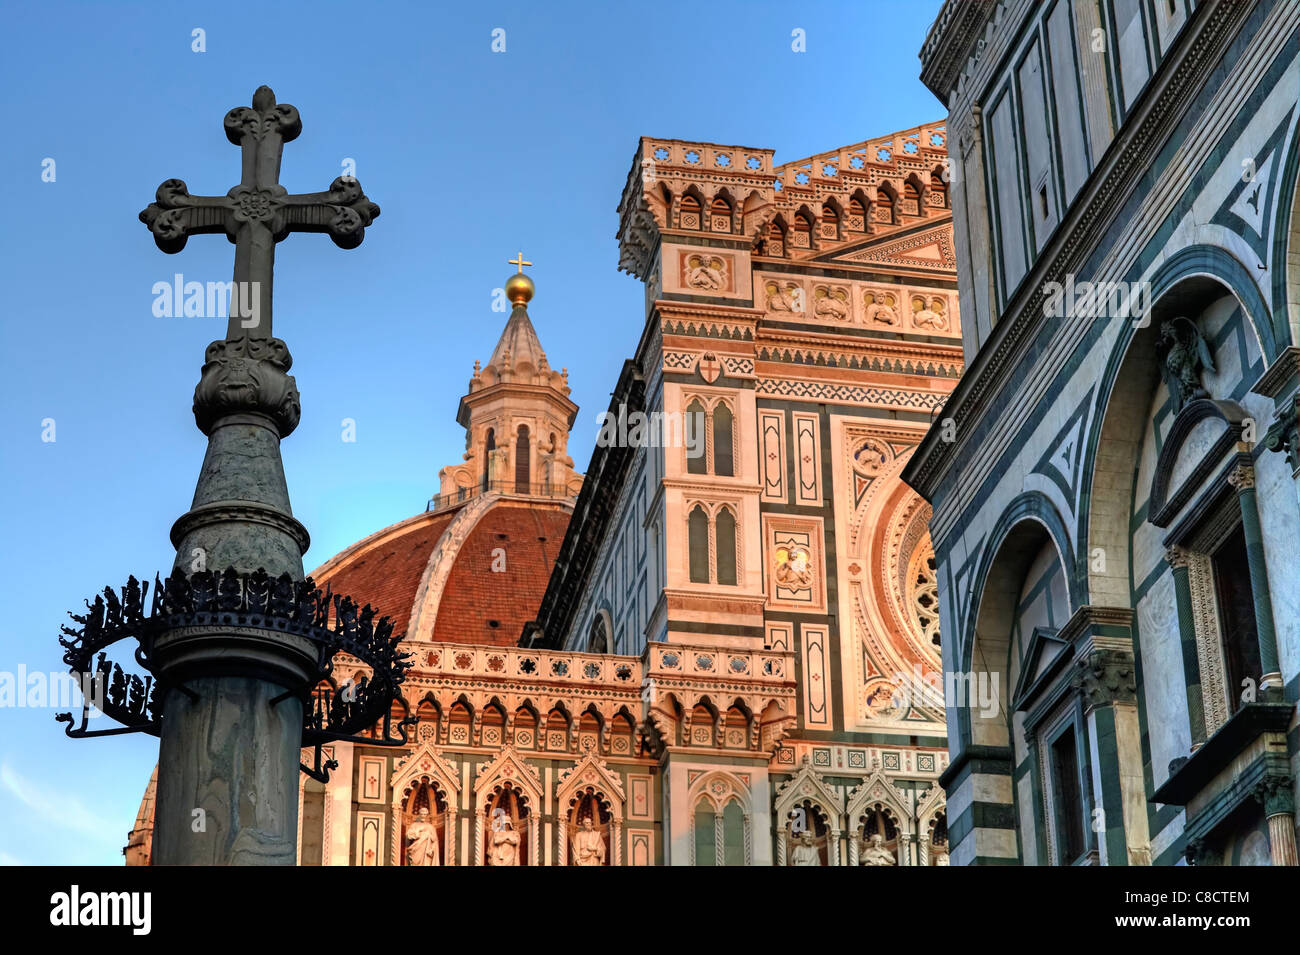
[473, 157]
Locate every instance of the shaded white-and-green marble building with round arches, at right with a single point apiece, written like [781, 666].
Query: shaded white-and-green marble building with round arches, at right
[1115, 481]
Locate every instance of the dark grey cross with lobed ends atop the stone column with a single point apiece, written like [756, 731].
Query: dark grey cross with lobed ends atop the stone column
[259, 212]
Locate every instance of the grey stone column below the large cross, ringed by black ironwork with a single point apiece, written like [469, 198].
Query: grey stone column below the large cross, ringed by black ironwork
[232, 731]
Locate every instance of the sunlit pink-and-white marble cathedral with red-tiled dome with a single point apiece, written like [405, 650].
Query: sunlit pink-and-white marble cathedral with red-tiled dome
[721, 645]
